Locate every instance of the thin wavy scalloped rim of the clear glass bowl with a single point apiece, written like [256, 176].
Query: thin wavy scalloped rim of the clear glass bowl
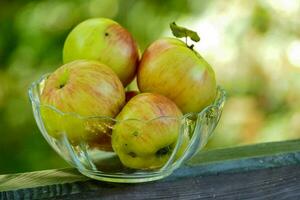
[35, 100]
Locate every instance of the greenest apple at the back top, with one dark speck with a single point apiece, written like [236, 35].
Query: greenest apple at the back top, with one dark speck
[106, 41]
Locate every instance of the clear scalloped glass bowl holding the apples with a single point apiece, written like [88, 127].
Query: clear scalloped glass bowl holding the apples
[67, 138]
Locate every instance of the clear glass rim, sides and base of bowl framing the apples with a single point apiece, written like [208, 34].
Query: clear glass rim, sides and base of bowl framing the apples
[199, 138]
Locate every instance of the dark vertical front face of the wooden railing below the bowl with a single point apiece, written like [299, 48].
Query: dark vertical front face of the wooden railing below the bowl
[276, 183]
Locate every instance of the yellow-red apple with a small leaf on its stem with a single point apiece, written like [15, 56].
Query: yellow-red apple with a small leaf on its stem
[170, 68]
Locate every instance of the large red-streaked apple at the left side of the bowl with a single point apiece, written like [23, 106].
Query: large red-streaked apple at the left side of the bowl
[84, 88]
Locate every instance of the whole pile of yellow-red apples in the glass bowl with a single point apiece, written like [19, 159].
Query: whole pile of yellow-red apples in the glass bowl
[100, 60]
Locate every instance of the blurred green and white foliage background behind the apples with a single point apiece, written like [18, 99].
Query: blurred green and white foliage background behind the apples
[254, 47]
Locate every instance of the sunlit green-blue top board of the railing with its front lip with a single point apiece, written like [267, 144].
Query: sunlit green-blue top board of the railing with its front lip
[50, 183]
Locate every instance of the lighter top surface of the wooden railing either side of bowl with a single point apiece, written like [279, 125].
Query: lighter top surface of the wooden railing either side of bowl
[207, 162]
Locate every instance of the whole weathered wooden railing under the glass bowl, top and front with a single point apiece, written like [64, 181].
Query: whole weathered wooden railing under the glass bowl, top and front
[263, 171]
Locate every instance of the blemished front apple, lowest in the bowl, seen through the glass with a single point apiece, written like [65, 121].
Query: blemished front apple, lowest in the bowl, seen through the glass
[146, 131]
